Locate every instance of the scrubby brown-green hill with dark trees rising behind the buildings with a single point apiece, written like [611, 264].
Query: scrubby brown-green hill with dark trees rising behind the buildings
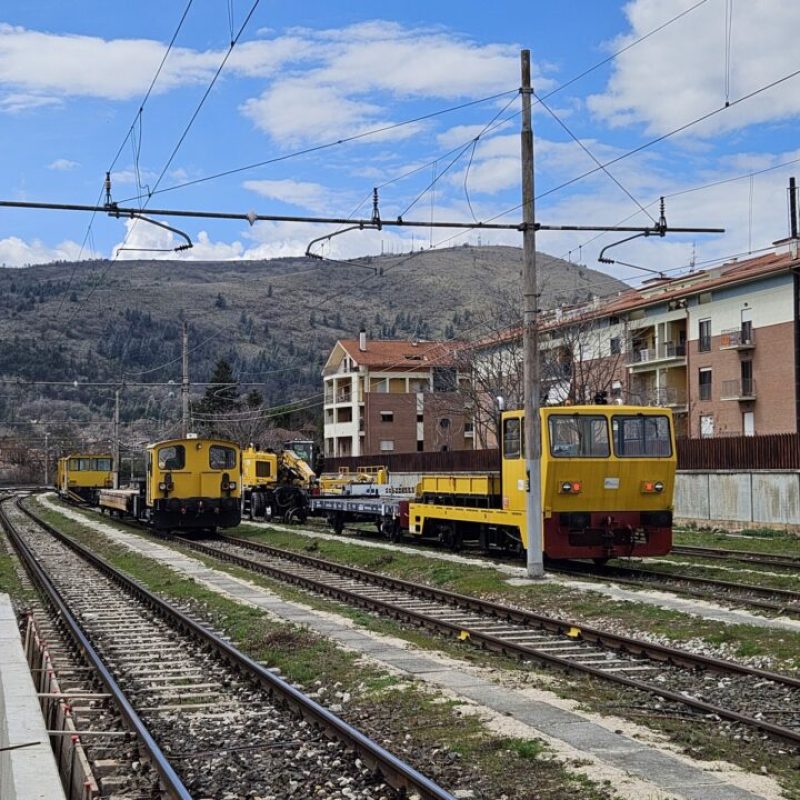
[274, 321]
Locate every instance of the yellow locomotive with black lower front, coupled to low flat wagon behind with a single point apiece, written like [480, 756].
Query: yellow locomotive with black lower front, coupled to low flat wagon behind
[191, 484]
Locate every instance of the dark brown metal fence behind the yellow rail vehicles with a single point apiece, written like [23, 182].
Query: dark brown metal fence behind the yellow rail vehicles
[777, 451]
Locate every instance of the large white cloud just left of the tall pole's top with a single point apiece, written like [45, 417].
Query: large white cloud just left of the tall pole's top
[352, 75]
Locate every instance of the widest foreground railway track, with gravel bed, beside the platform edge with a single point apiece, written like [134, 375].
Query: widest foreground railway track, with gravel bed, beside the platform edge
[208, 721]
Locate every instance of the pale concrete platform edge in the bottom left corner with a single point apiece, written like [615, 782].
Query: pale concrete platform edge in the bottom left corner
[26, 773]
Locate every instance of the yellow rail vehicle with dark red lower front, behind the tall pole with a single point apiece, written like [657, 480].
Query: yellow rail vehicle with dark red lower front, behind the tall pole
[607, 475]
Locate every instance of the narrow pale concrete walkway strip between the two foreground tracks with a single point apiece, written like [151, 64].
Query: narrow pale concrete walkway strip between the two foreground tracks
[655, 773]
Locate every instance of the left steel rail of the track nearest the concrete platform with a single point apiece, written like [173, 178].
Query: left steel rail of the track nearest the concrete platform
[169, 778]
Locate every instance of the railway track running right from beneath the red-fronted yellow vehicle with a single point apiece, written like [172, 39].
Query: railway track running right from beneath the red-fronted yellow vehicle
[780, 601]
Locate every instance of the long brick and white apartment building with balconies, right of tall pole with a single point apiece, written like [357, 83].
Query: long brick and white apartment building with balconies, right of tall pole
[717, 346]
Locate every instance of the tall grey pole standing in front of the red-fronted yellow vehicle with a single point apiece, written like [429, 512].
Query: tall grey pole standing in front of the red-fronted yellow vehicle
[530, 298]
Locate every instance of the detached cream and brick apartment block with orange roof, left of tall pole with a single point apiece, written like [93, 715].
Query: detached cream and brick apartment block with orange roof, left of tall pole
[383, 396]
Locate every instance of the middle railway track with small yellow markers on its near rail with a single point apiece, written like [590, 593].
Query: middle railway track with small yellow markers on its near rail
[712, 687]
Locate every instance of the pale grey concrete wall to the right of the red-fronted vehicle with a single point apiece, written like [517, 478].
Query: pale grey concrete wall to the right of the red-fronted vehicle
[739, 499]
